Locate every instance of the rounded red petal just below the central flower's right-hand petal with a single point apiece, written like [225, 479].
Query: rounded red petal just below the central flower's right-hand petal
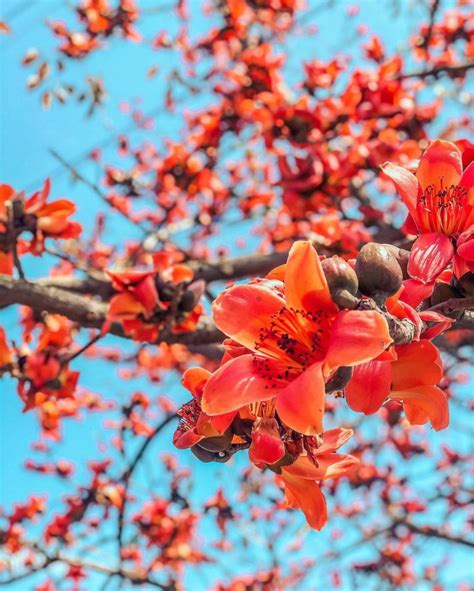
[369, 386]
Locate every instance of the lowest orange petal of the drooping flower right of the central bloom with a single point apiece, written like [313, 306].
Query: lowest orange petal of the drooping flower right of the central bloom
[423, 403]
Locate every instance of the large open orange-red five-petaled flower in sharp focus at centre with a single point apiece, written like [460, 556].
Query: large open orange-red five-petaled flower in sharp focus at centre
[294, 337]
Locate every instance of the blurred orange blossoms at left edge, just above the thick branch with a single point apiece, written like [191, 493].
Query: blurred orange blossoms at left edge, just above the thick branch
[33, 215]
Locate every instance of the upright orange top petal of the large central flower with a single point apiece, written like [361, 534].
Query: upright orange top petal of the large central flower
[305, 283]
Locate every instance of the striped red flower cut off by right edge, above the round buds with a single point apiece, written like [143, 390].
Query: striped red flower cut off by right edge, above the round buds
[440, 200]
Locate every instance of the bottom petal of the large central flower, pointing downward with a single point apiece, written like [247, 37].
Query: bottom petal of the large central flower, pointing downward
[301, 404]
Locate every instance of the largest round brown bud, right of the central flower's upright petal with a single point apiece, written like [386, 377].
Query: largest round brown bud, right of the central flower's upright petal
[379, 273]
